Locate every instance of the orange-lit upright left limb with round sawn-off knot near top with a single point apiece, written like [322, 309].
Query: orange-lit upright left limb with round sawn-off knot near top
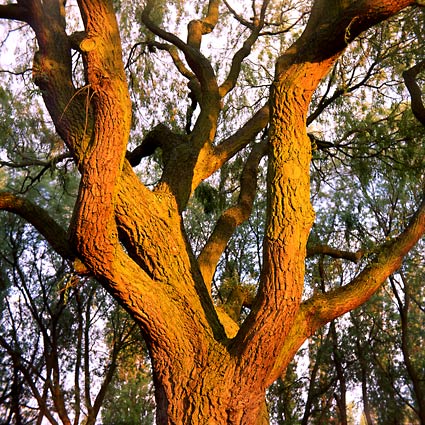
[102, 161]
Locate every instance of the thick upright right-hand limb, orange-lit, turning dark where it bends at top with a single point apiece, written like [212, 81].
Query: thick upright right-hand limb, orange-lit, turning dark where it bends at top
[332, 25]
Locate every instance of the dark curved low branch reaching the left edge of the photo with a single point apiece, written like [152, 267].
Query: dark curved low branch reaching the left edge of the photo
[41, 220]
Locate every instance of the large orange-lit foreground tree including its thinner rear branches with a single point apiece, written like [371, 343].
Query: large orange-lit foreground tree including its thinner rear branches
[131, 237]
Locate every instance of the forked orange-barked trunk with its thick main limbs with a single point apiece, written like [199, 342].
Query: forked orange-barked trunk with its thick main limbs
[132, 239]
